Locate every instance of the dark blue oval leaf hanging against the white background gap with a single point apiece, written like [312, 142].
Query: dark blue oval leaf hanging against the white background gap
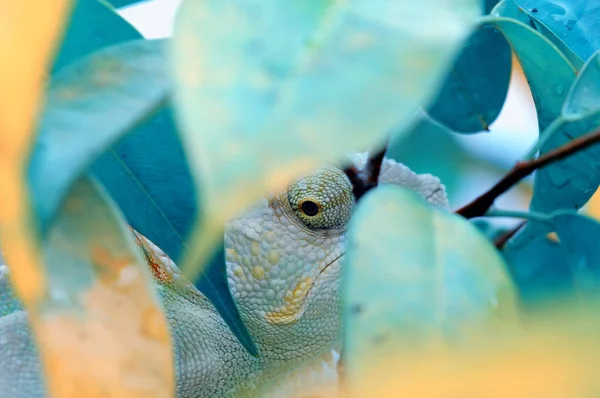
[475, 87]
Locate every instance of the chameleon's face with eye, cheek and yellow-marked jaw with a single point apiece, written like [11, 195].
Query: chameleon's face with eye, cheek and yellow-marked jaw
[283, 254]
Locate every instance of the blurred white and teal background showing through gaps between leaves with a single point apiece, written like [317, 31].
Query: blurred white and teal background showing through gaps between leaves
[478, 160]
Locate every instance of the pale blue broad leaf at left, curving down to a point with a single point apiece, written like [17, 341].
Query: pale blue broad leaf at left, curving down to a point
[90, 105]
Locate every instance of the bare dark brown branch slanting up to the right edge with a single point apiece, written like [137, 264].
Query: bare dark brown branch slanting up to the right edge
[482, 204]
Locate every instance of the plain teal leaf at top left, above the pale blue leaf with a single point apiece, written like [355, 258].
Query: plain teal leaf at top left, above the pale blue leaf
[92, 26]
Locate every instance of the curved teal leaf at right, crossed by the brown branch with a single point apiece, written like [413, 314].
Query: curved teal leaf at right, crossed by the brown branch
[549, 75]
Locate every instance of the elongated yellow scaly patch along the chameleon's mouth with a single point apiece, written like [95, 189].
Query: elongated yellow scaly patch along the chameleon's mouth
[296, 301]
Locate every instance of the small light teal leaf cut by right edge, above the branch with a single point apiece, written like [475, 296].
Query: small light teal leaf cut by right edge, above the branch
[583, 100]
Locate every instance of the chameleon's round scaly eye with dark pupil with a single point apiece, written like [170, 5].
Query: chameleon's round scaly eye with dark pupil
[322, 201]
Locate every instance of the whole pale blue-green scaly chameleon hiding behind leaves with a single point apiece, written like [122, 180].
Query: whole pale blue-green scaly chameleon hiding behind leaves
[284, 258]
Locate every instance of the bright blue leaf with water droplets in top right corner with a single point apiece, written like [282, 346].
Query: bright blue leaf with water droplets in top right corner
[573, 23]
